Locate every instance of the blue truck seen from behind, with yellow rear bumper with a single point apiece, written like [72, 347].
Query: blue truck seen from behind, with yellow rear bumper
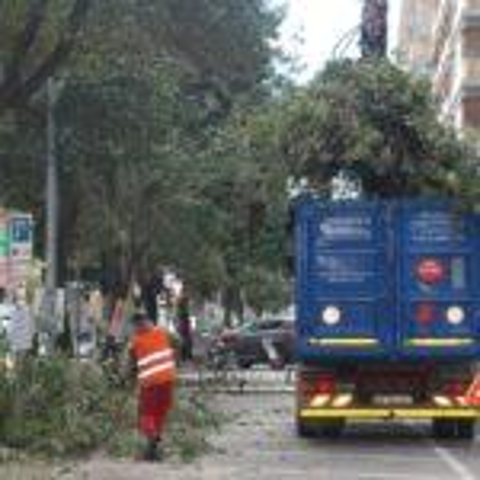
[388, 314]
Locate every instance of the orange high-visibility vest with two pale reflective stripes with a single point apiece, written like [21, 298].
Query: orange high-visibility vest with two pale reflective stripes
[154, 357]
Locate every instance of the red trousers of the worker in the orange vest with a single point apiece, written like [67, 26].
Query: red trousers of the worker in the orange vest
[154, 403]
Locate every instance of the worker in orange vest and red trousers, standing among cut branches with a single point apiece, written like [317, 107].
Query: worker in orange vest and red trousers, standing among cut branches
[153, 360]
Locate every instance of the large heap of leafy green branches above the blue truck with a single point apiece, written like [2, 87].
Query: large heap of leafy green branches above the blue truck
[374, 119]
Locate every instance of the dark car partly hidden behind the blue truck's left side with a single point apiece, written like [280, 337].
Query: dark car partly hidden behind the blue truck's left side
[268, 342]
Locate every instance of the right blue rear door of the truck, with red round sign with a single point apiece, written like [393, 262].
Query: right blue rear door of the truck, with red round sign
[438, 280]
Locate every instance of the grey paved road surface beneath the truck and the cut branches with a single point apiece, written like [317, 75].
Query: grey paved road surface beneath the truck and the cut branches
[260, 443]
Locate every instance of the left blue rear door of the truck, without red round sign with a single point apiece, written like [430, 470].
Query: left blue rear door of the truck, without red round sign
[344, 281]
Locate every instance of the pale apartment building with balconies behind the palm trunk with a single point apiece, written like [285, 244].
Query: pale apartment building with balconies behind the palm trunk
[441, 39]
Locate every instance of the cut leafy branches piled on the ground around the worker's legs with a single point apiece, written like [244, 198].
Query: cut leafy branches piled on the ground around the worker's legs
[58, 408]
